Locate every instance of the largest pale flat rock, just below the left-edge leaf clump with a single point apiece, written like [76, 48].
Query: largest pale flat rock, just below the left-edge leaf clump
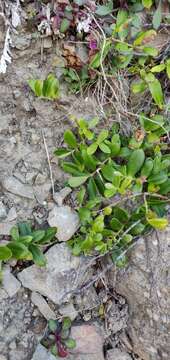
[57, 278]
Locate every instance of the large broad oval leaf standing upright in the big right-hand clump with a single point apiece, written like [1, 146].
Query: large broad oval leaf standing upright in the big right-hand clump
[135, 162]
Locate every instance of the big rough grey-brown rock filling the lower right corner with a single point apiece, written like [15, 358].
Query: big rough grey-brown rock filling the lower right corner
[146, 286]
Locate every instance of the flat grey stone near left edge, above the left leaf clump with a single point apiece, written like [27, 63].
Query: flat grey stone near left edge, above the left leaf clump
[14, 186]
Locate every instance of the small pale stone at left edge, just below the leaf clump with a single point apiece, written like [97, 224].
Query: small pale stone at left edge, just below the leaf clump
[10, 284]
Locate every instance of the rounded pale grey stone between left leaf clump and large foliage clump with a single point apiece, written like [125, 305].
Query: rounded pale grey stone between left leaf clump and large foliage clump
[66, 220]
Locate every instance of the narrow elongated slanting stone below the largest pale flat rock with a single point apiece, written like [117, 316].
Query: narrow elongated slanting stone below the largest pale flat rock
[42, 305]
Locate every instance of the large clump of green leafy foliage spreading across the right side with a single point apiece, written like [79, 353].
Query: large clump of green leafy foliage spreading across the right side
[111, 169]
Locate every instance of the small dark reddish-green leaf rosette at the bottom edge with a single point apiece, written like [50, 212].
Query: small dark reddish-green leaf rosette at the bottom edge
[58, 337]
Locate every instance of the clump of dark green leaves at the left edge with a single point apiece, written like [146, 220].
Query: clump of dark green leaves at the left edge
[26, 244]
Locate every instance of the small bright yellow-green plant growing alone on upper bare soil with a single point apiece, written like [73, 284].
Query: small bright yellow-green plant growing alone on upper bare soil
[48, 88]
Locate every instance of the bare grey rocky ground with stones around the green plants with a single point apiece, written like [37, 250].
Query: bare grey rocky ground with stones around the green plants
[135, 303]
